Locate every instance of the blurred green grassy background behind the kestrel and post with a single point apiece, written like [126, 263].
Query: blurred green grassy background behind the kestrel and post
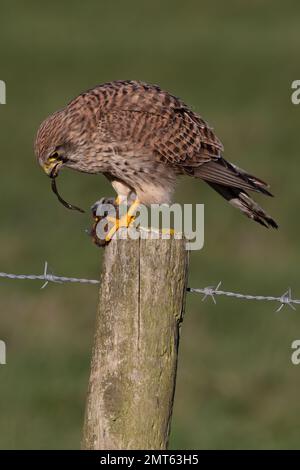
[234, 63]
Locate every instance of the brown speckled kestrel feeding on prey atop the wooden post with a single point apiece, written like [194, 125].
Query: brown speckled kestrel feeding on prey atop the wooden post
[142, 138]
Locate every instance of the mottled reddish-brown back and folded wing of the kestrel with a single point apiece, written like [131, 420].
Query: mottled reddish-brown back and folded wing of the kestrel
[144, 116]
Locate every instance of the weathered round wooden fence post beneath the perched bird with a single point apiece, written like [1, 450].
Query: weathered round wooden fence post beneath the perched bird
[134, 359]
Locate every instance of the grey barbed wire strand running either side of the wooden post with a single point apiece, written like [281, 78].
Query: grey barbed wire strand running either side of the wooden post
[208, 292]
